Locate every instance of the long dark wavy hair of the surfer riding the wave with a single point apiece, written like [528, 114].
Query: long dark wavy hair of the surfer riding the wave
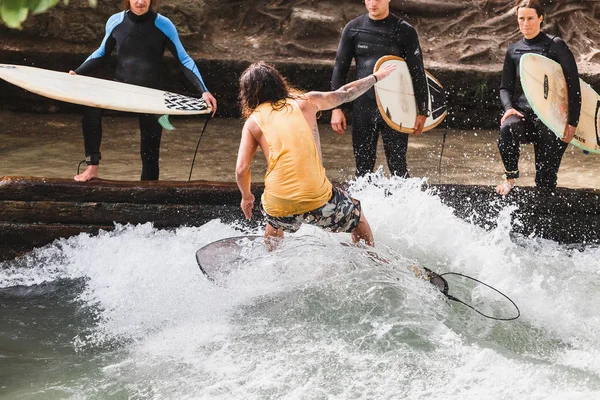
[262, 83]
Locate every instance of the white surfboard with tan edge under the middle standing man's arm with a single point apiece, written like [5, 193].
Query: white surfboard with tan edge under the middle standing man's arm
[396, 97]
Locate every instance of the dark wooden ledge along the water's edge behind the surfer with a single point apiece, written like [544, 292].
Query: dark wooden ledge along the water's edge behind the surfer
[36, 211]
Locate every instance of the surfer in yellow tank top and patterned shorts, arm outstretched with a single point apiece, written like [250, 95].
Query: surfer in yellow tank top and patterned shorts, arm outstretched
[284, 125]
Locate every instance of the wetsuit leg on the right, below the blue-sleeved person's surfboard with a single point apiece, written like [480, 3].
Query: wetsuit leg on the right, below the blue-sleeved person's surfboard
[151, 133]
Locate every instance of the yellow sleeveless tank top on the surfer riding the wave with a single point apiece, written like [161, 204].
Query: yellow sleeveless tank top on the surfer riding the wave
[295, 181]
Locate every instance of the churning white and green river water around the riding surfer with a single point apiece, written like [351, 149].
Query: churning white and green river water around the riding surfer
[128, 314]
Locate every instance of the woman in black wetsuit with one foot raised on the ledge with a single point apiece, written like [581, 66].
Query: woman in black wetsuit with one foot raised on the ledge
[519, 124]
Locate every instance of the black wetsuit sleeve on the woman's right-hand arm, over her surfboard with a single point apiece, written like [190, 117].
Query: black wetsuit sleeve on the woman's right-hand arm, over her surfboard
[566, 59]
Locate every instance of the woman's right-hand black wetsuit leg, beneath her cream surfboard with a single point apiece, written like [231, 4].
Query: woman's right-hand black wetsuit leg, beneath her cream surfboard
[549, 150]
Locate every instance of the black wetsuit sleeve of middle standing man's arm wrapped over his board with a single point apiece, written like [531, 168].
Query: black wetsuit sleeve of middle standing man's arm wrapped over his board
[414, 62]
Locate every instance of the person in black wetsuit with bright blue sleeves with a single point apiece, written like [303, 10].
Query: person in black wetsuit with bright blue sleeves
[140, 36]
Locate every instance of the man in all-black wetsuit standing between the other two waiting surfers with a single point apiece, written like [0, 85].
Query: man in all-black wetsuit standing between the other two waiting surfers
[366, 39]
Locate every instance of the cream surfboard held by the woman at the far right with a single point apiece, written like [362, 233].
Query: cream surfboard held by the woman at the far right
[545, 87]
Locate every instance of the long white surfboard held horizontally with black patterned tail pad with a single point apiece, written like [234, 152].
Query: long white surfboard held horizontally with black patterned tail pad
[101, 93]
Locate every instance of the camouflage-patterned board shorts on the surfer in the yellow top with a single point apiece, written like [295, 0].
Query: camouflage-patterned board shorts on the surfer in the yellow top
[340, 214]
